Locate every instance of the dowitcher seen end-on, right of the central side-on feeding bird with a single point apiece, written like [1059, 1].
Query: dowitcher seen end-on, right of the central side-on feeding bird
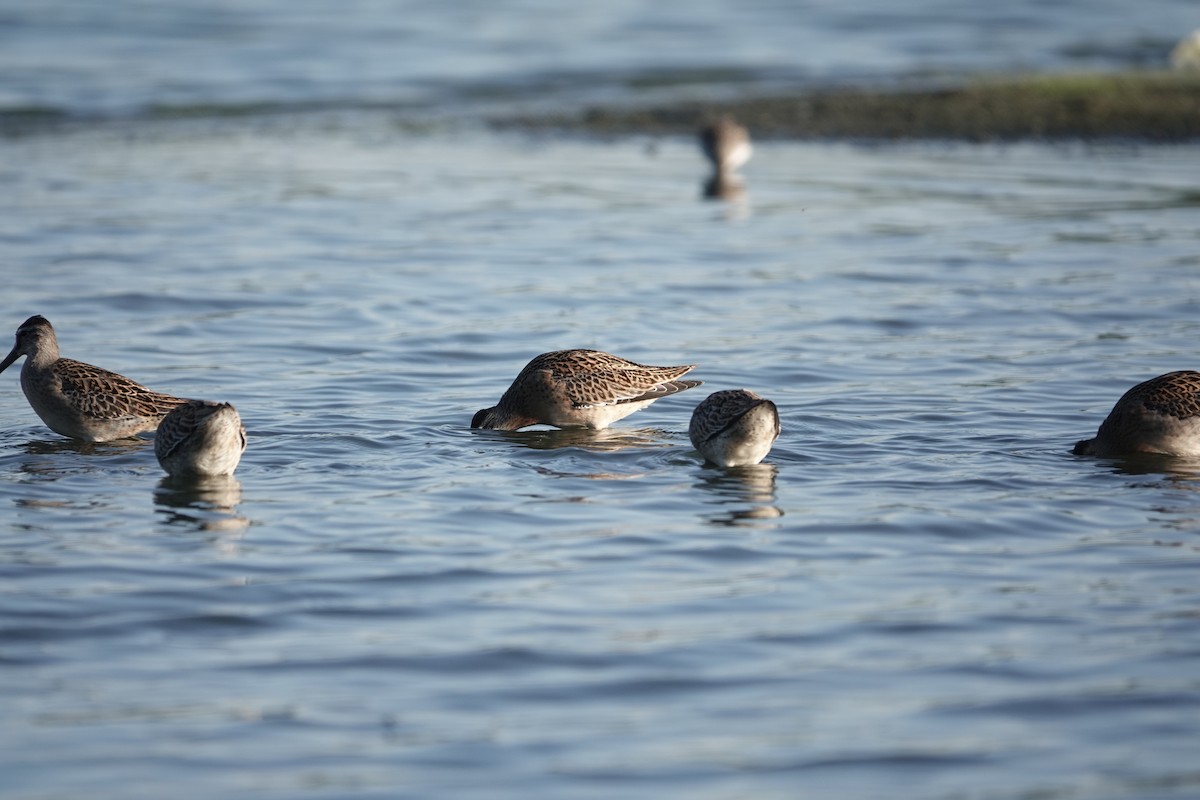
[735, 428]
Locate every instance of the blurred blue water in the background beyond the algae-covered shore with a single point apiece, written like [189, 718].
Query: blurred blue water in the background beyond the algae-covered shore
[125, 57]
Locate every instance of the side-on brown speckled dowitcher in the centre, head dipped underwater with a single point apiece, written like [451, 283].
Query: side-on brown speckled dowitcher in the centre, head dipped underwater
[580, 389]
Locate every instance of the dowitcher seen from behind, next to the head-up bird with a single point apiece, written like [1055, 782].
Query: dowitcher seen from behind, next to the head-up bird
[201, 438]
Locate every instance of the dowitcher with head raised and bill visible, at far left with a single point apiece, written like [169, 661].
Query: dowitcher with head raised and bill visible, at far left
[77, 400]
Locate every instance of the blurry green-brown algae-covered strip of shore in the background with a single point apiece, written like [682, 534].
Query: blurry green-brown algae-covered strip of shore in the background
[1143, 106]
